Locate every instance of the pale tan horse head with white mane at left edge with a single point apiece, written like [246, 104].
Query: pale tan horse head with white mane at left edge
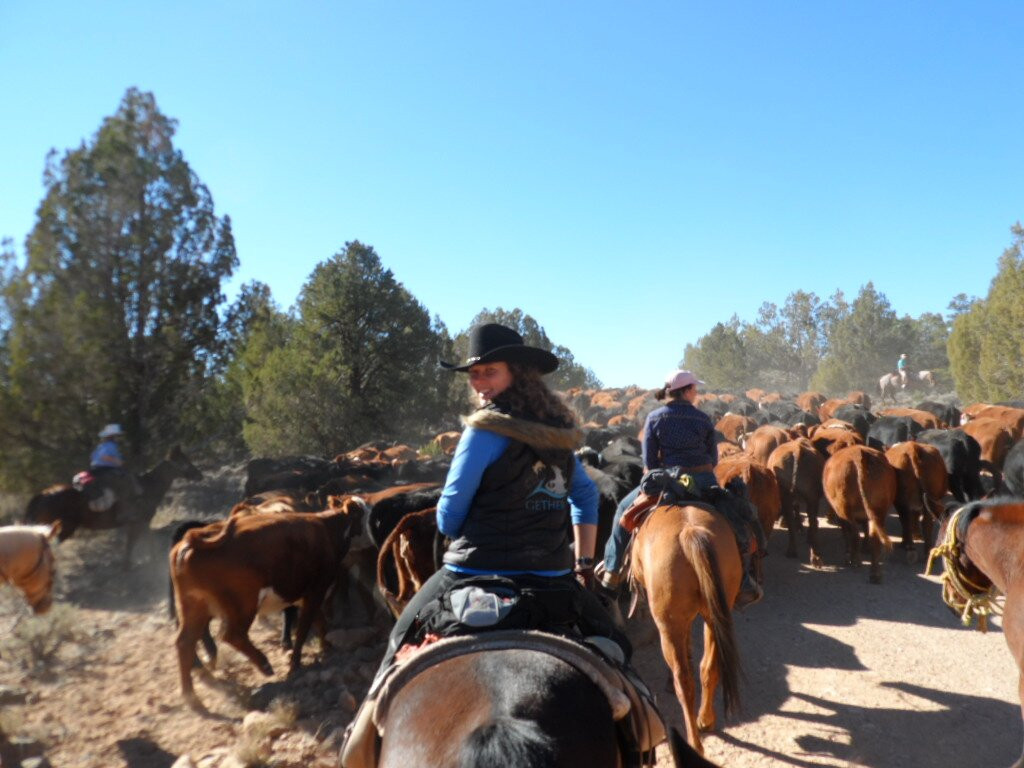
[27, 563]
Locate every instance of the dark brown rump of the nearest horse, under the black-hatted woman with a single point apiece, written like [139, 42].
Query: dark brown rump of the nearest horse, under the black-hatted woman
[516, 708]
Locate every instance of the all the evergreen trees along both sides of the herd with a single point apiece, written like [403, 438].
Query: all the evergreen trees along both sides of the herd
[116, 313]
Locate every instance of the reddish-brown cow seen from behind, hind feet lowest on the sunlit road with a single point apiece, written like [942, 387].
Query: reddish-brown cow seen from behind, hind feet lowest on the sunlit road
[861, 487]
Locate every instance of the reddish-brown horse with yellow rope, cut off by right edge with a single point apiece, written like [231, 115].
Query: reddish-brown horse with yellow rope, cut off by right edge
[983, 549]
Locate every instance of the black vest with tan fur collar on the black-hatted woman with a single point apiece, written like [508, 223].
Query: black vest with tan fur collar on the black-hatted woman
[520, 518]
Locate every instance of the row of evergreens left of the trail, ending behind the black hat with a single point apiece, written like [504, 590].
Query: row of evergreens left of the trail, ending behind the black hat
[117, 314]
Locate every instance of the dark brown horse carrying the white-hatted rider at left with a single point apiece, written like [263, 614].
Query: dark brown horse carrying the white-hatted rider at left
[69, 505]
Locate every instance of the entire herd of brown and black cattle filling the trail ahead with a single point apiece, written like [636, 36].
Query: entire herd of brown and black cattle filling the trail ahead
[360, 528]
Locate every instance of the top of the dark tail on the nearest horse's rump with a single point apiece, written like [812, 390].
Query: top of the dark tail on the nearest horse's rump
[508, 743]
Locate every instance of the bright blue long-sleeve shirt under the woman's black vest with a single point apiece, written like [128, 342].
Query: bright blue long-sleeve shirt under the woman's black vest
[478, 450]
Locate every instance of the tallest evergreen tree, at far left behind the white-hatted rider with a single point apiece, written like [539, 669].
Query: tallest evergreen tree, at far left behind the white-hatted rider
[113, 316]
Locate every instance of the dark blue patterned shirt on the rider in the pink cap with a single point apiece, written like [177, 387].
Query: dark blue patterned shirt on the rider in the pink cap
[679, 436]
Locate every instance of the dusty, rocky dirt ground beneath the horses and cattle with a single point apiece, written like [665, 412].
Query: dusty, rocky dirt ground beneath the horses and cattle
[838, 673]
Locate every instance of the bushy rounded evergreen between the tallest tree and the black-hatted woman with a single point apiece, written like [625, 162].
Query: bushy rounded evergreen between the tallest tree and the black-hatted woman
[360, 363]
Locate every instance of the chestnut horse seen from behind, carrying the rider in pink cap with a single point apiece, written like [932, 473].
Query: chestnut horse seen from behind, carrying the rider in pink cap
[688, 562]
